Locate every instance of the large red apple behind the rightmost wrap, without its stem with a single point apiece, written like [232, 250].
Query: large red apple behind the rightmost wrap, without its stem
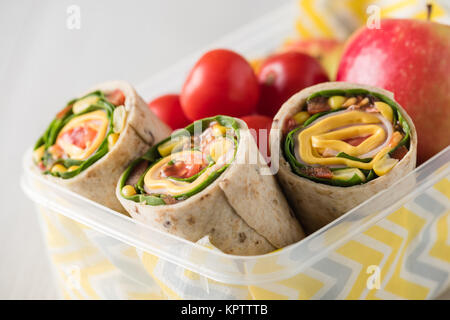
[410, 58]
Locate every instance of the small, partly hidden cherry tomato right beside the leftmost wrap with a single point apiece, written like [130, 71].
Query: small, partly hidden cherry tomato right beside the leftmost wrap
[168, 109]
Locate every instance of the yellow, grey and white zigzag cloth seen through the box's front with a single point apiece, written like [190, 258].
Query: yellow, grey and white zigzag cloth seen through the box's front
[411, 247]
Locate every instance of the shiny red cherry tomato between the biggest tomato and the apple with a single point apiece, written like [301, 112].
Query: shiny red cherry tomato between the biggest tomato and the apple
[282, 75]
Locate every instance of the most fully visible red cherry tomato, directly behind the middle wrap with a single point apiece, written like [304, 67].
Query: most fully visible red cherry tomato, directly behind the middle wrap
[221, 82]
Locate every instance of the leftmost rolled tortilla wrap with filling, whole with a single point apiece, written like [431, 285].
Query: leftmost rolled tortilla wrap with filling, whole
[94, 138]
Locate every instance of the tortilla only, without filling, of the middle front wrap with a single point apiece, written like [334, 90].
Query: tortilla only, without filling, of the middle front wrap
[242, 211]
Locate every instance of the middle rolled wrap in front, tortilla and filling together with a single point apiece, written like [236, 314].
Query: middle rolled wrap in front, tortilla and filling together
[200, 181]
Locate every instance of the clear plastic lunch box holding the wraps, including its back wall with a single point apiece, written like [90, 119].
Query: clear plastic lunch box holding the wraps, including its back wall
[395, 245]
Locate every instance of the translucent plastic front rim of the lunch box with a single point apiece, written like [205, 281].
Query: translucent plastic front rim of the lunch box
[299, 255]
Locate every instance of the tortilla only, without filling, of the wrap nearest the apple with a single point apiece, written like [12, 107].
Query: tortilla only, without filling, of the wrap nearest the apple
[317, 204]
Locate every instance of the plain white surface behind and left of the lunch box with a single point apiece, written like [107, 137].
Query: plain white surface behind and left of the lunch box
[42, 63]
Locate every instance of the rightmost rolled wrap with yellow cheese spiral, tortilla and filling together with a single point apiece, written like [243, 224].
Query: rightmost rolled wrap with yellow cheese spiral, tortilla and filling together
[340, 143]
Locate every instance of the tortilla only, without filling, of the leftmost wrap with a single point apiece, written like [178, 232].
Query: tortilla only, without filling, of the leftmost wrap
[142, 130]
